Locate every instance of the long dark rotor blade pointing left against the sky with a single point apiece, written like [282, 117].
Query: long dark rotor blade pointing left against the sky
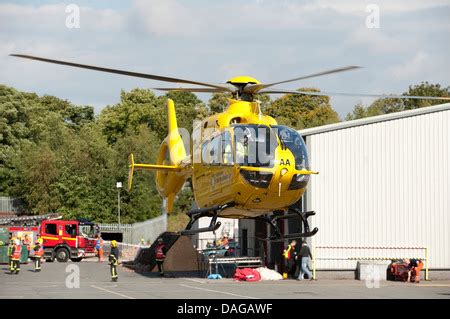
[122, 72]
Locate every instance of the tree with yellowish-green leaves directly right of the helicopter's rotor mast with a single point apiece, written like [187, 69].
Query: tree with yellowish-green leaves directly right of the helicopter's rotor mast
[302, 111]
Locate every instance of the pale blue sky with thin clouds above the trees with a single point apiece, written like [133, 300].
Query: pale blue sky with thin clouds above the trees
[215, 40]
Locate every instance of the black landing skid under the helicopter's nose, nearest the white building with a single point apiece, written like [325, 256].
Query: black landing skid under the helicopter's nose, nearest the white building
[292, 213]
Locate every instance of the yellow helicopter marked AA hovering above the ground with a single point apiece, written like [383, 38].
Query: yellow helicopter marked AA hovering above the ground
[242, 163]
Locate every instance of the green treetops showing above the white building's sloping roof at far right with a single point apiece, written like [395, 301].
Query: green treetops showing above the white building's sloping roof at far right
[392, 105]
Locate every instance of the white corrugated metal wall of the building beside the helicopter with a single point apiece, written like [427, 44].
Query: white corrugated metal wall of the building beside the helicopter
[383, 184]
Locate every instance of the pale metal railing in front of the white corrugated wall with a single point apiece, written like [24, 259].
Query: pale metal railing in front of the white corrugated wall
[353, 253]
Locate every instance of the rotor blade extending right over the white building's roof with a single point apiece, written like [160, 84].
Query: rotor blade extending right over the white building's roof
[382, 96]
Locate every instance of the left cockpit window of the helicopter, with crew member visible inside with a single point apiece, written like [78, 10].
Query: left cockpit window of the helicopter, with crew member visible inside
[254, 145]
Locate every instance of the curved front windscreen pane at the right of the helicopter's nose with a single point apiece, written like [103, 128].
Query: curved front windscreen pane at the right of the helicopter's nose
[291, 139]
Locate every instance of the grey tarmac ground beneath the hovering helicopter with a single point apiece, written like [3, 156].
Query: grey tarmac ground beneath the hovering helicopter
[91, 280]
